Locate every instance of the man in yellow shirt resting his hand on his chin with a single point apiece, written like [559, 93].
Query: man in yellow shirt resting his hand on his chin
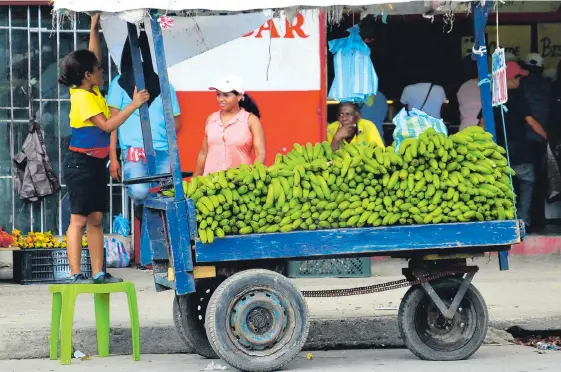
[352, 128]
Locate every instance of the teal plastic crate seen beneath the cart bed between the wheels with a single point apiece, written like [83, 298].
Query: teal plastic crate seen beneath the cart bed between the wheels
[331, 268]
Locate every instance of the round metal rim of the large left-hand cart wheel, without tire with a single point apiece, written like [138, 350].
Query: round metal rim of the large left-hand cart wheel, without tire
[258, 320]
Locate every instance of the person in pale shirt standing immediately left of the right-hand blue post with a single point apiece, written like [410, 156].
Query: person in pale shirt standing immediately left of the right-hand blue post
[469, 96]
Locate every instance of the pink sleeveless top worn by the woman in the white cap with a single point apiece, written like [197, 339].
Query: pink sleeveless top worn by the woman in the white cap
[229, 145]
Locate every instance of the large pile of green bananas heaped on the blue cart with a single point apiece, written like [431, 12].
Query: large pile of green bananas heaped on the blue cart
[429, 179]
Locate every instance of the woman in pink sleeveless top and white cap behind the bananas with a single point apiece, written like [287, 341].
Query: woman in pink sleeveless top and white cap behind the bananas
[233, 132]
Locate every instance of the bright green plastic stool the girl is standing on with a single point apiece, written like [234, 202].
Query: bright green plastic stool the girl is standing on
[64, 299]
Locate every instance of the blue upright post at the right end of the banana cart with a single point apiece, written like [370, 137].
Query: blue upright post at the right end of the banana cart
[480, 14]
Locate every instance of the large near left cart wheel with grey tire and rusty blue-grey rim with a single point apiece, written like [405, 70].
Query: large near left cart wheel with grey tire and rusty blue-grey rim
[257, 321]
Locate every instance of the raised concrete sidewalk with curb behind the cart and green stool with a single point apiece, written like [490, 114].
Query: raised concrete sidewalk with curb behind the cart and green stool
[526, 296]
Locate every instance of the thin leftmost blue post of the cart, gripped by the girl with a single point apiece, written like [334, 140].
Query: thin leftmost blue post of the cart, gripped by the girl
[144, 113]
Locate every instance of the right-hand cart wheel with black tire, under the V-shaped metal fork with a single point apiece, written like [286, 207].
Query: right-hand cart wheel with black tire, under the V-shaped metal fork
[430, 336]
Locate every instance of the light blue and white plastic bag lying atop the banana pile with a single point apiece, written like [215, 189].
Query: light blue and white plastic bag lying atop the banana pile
[411, 124]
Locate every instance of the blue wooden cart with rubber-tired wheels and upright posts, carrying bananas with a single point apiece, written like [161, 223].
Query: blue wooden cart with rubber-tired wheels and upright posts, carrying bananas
[232, 300]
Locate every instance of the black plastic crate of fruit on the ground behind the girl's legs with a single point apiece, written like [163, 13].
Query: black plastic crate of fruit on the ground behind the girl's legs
[46, 266]
